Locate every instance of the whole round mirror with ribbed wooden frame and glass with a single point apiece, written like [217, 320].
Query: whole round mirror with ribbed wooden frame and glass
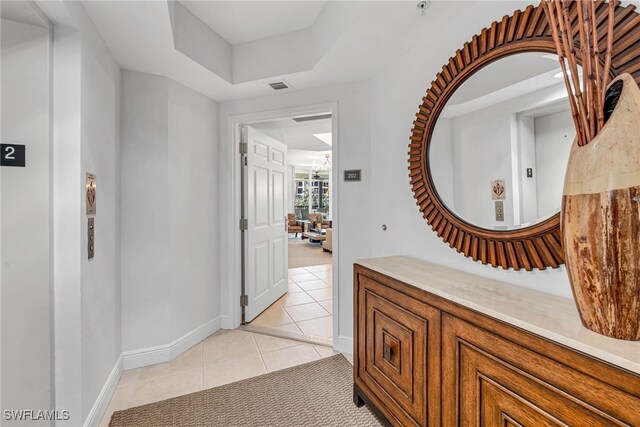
[486, 185]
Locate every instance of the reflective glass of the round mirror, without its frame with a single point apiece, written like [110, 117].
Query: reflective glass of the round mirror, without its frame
[499, 150]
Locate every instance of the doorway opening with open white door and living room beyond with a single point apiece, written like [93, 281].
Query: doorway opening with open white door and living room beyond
[288, 238]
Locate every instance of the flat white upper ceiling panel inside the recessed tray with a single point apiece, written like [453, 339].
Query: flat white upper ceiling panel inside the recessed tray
[244, 21]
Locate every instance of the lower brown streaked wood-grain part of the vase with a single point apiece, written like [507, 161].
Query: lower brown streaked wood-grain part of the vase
[603, 260]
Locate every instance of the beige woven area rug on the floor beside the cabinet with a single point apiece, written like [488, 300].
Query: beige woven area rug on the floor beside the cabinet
[318, 394]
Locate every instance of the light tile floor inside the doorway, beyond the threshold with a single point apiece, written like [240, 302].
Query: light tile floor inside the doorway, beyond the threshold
[307, 308]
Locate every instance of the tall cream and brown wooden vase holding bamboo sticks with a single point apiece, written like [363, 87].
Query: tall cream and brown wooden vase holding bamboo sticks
[600, 221]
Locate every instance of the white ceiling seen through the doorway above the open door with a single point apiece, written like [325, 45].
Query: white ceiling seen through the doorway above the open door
[297, 135]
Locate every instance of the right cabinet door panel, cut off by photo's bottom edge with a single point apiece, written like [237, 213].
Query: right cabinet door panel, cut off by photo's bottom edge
[489, 381]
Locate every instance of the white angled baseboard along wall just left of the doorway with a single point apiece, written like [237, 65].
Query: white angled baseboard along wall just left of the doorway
[164, 353]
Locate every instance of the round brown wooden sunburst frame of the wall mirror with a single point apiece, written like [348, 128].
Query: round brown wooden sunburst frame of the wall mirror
[537, 246]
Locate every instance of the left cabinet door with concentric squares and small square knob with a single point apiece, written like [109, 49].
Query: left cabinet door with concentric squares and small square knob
[398, 353]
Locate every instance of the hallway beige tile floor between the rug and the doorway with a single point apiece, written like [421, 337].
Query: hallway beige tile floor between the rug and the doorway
[224, 357]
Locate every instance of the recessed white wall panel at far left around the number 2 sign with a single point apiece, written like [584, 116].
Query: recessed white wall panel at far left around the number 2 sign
[26, 347]
